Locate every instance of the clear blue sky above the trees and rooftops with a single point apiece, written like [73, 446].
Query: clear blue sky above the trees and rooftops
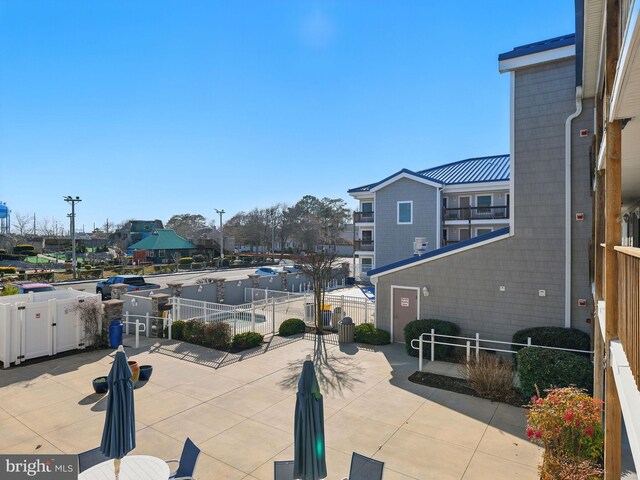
[147, 109]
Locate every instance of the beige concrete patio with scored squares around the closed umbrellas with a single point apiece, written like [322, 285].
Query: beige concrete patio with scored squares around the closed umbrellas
[239, 410]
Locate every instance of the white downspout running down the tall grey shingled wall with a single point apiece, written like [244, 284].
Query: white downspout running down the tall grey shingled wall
[567, 208]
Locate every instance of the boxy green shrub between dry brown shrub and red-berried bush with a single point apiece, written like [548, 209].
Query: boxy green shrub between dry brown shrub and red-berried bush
[546, 368]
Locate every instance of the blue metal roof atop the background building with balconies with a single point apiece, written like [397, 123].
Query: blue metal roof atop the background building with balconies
[471, 170]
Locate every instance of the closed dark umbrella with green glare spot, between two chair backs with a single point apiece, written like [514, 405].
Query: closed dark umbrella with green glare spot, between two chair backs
[309, 451]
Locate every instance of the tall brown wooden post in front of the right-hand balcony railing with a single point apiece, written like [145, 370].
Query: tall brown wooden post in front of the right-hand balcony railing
[613, 234]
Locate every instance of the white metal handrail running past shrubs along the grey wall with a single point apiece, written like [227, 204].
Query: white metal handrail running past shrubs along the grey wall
[473, 343]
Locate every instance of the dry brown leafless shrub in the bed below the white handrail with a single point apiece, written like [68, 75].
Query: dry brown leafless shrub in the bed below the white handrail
[491, 376]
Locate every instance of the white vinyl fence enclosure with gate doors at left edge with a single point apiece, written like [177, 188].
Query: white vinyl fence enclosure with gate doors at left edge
[41, 324]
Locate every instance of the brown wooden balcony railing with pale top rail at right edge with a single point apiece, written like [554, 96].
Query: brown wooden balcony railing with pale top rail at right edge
[629, 306]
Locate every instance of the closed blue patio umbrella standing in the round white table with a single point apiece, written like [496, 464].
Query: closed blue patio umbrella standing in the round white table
[119, 433]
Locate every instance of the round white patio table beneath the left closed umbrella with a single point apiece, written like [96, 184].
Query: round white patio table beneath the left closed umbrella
[133, 467]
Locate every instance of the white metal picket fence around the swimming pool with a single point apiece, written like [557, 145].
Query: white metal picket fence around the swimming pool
[270, 308]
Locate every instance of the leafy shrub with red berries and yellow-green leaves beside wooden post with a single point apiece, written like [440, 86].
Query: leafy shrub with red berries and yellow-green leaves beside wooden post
[568, 424]
